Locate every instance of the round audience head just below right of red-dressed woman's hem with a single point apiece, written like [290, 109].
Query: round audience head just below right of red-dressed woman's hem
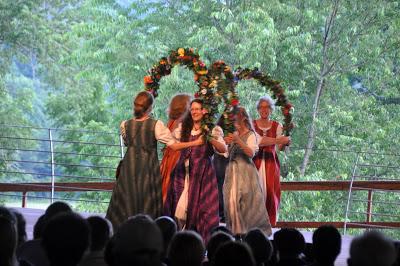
[289, 242]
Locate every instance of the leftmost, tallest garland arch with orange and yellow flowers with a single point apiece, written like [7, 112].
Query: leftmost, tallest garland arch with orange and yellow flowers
[190, 59]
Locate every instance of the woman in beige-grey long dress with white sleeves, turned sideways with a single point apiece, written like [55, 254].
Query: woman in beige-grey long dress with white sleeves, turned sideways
[244, 202]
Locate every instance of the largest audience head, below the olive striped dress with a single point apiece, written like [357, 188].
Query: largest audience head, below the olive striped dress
[138, 241]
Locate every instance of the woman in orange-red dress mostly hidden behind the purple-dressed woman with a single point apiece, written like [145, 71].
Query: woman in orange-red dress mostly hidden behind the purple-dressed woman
[178, 107]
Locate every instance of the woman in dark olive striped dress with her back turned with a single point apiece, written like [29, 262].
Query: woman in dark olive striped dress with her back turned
[138, 185]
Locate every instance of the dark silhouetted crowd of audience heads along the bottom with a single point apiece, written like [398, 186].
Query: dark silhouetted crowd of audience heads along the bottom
[62, 237]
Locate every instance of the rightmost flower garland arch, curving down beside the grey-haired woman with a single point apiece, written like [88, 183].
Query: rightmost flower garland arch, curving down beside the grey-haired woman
[278, 93]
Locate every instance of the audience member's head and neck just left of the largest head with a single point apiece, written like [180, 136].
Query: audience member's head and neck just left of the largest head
[100, 233]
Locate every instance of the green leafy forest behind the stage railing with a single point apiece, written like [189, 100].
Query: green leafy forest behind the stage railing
[77, 64]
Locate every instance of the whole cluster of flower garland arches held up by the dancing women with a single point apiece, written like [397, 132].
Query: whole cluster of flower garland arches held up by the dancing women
[217, 85]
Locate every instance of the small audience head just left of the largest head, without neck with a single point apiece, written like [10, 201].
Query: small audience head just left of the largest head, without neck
[100, 232]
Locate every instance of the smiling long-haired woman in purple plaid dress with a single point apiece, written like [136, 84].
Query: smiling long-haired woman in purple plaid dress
[193, 193]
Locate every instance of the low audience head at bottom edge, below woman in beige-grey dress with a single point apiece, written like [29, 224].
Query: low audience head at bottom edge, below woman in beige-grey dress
[234, 254]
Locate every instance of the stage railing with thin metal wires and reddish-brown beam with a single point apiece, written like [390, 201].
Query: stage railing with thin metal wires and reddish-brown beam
[48, 160]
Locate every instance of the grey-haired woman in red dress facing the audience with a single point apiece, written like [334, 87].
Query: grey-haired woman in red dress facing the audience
[266, 159]
